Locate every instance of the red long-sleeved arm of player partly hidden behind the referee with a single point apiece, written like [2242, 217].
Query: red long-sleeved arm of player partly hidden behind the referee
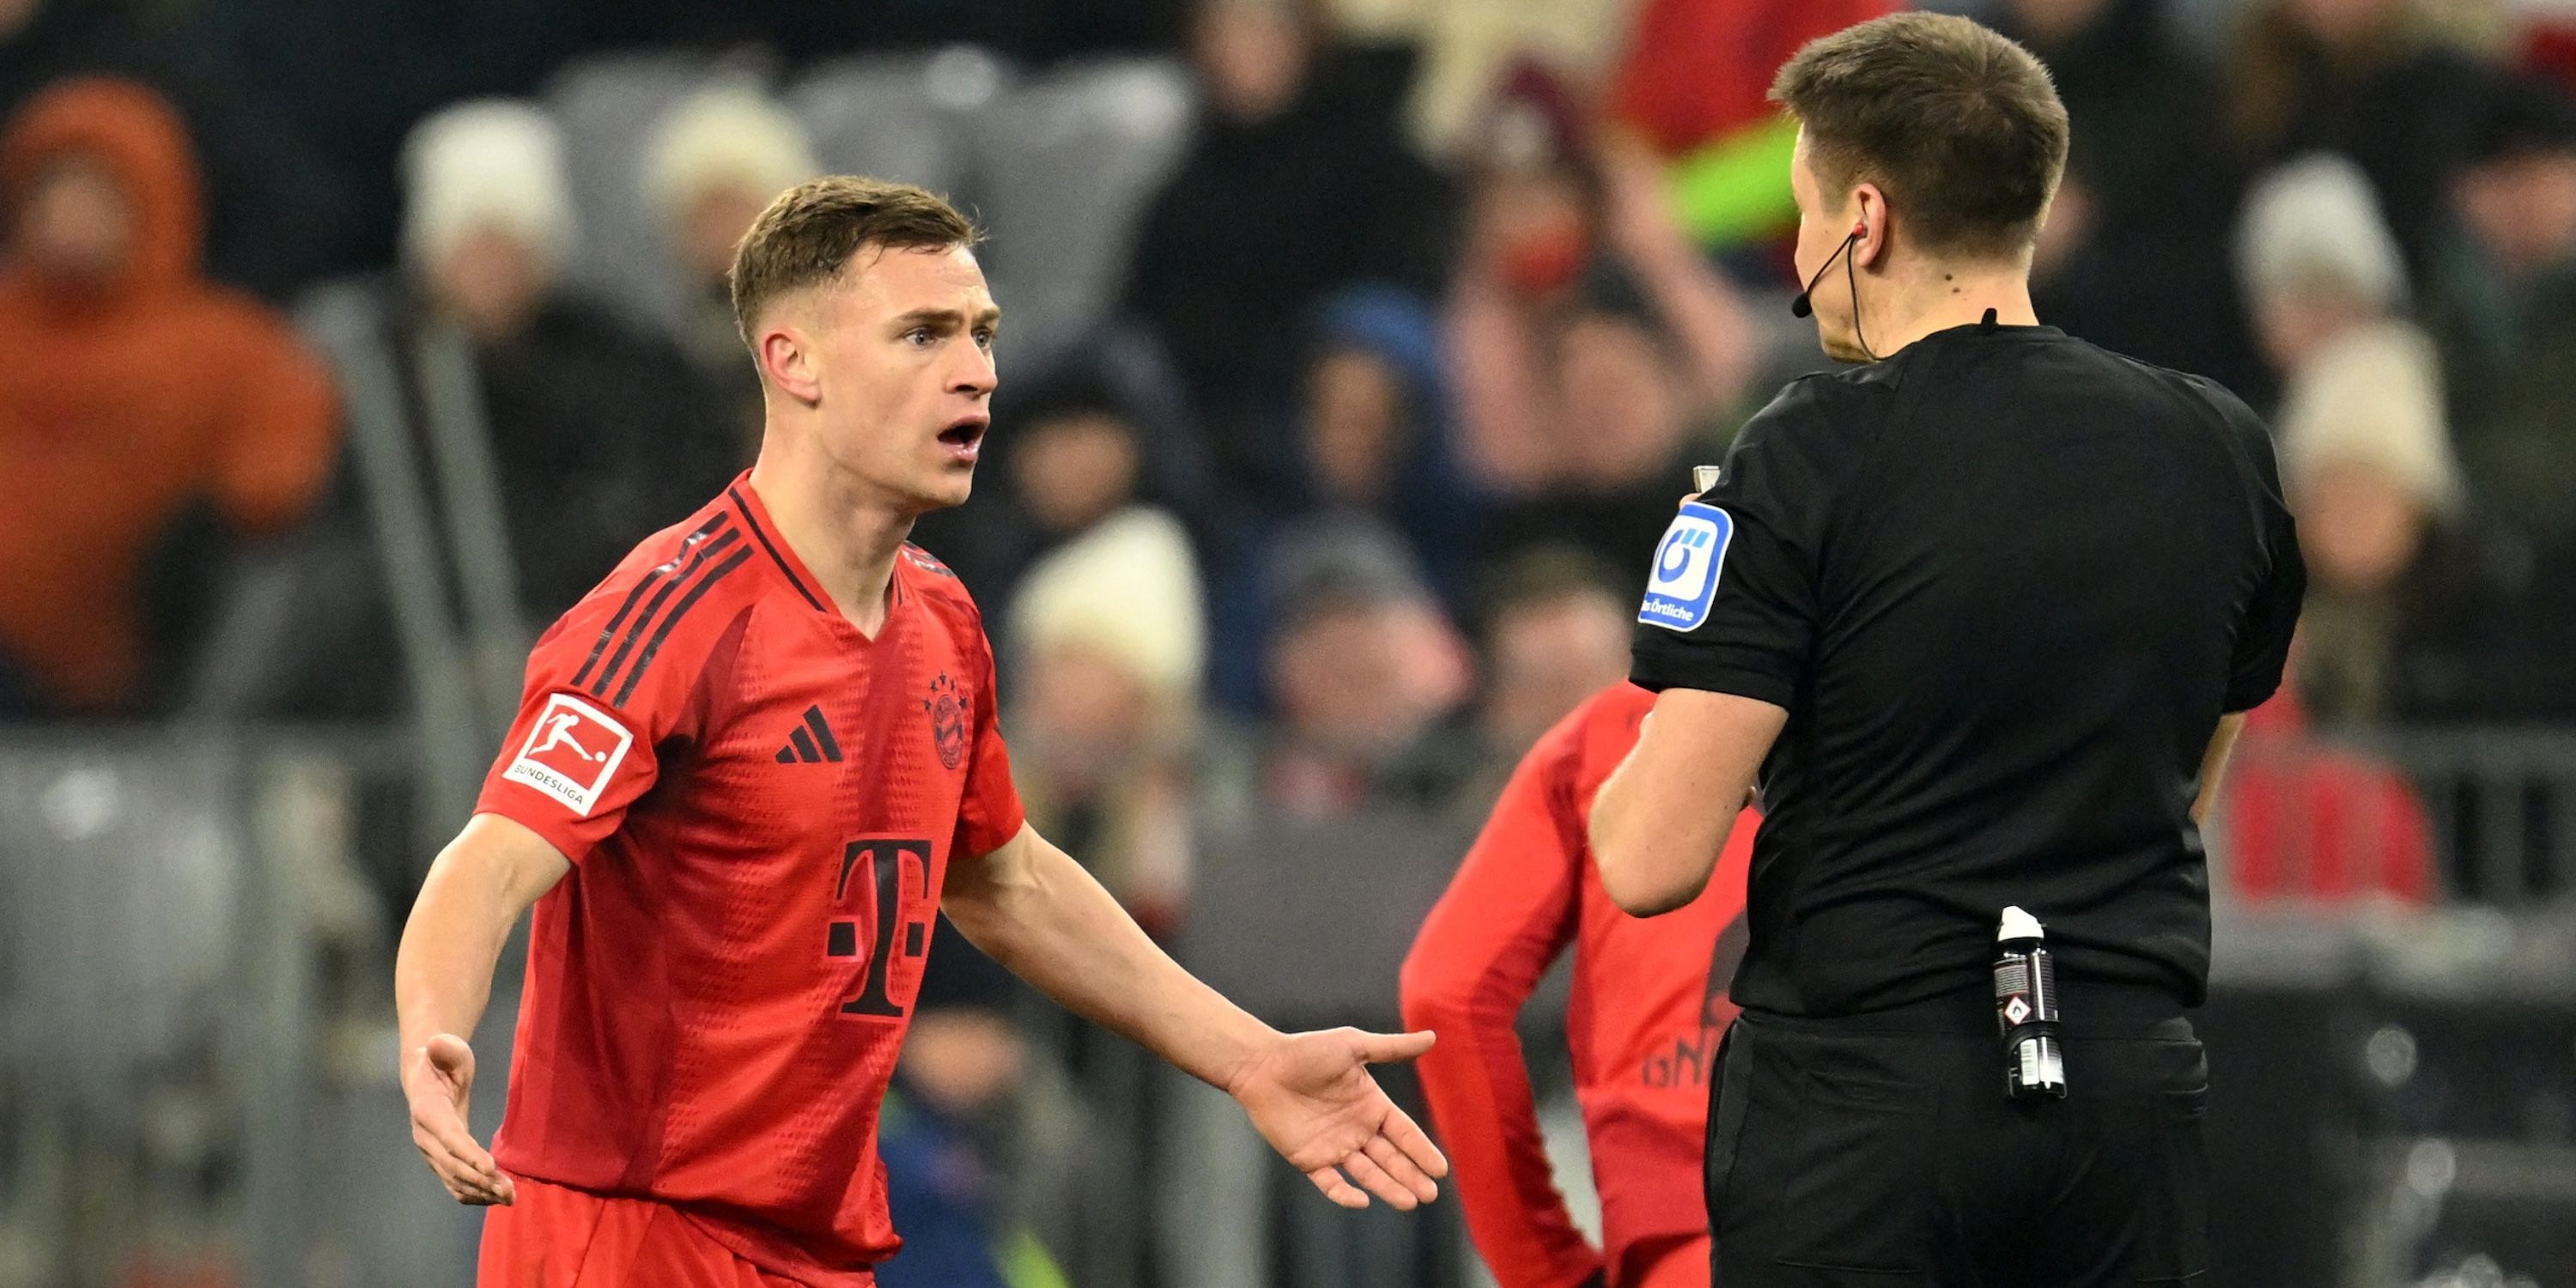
[1475, 965]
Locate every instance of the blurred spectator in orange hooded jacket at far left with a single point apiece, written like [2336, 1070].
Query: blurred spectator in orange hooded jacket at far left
[143, 411]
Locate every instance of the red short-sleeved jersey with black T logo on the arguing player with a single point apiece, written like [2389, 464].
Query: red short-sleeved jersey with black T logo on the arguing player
[759, 805]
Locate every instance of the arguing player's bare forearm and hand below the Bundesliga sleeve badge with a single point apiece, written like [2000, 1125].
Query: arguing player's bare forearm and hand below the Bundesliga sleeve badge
[478, 887]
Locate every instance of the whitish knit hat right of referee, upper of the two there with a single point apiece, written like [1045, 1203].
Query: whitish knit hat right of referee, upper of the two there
[2315, 225]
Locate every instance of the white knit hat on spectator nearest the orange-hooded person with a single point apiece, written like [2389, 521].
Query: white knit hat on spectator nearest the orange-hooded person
[486, 164]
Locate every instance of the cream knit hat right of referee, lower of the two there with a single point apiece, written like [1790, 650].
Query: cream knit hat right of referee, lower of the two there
[2374, 398]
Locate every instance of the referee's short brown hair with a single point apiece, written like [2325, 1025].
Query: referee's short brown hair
[1959, 125]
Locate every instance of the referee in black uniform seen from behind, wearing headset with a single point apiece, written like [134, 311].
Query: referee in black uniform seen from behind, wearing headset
[1985, 617]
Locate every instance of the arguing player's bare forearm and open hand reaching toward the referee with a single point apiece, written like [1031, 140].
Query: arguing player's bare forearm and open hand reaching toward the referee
[1045, 918]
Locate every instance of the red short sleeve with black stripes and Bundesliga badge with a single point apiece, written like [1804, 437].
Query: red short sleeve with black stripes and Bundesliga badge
[581, 751]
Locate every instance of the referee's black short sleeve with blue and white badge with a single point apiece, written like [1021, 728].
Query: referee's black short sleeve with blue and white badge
[1732, 589]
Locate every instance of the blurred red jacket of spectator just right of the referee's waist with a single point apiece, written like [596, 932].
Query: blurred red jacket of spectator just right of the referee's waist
[2309, 823]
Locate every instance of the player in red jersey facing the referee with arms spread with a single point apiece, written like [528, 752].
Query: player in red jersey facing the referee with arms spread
[748, 774]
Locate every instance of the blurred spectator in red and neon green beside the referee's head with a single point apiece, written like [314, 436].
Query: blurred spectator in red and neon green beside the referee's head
[1696, 89]
